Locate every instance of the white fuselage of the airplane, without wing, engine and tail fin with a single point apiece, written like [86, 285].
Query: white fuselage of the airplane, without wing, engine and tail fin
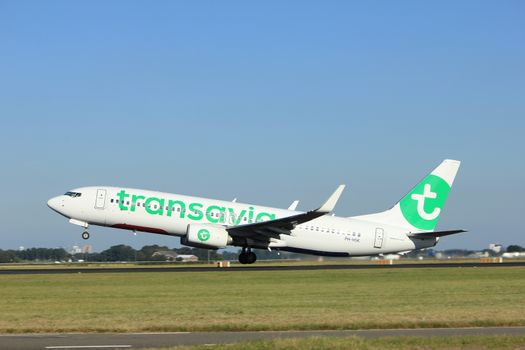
[170, 214]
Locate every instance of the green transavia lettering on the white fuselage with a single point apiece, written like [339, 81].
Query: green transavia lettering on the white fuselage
[193, 211]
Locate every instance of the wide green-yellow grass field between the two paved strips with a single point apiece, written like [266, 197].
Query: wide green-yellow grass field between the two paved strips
[262, 300]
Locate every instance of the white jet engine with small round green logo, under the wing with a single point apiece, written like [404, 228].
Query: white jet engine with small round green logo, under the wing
[206, 236]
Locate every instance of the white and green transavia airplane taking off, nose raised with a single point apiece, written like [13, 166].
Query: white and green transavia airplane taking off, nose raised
[214, 224]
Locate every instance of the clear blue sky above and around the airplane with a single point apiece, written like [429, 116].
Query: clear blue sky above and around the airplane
[266, 101]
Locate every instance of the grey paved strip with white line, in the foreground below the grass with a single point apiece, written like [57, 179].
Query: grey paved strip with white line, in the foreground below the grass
[143, 340]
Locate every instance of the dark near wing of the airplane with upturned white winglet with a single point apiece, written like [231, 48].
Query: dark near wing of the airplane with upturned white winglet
[272, 228]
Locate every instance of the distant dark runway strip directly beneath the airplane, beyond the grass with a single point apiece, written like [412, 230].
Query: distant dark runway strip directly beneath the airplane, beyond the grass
[254, 268]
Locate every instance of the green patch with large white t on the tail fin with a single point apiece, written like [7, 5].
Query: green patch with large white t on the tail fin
[423, 205]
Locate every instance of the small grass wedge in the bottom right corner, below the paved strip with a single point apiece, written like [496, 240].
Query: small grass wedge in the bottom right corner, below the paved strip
[355, 343]
